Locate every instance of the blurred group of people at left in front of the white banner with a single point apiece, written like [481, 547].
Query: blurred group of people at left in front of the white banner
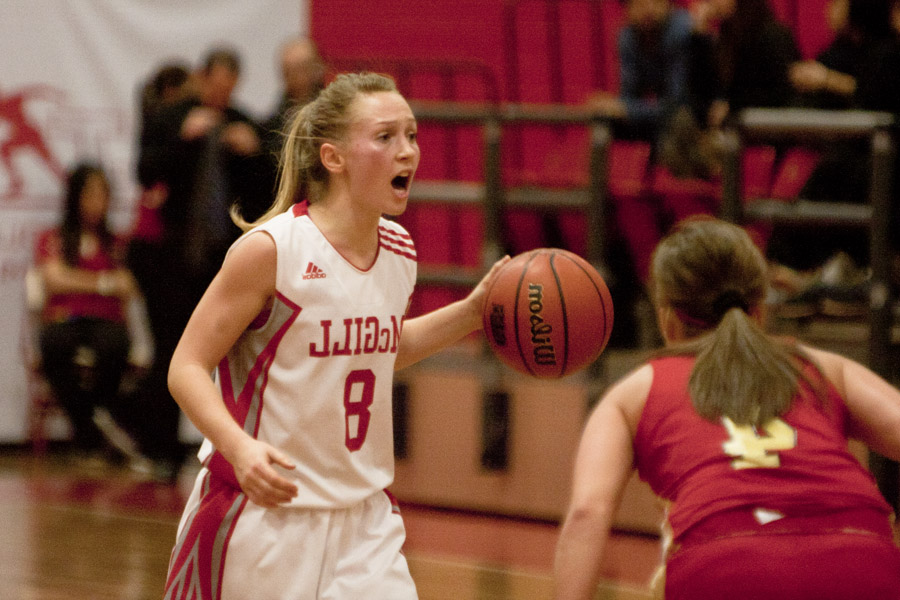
[200, 158]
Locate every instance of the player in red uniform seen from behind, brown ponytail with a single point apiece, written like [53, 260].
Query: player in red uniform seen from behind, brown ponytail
[745, 435]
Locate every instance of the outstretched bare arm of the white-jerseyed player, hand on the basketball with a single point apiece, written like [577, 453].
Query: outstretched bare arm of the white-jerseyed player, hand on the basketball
[429, 333]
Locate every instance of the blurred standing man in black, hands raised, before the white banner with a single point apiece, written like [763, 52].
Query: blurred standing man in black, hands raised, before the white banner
[204, 156]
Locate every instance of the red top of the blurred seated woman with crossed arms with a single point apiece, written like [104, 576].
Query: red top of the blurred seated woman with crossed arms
[61, 307]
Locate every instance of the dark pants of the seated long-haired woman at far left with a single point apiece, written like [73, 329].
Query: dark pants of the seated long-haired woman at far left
[84, 360]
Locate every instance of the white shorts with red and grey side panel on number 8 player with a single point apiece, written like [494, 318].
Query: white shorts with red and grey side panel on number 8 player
[231, 549]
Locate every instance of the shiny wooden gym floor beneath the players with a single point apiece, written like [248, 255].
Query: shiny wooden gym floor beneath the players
[78, 533]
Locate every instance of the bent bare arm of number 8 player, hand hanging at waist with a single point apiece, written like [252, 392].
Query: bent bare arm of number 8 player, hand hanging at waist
[243, 287]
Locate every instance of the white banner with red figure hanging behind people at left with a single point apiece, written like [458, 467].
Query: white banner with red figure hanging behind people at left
[69, 78]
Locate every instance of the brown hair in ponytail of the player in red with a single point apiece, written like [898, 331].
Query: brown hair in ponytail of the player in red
[712, 275]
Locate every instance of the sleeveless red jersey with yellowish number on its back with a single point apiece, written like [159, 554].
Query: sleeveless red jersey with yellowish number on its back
[795, 465]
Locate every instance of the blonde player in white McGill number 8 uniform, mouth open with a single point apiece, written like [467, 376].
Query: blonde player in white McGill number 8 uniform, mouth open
[302, 327]
